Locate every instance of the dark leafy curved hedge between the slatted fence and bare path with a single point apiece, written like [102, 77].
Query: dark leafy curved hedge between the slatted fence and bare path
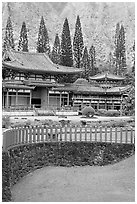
[21, 160]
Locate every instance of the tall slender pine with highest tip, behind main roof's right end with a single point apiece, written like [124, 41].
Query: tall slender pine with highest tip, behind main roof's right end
[78, 44]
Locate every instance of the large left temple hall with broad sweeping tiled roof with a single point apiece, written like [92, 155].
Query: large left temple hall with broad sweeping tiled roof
[28, 79]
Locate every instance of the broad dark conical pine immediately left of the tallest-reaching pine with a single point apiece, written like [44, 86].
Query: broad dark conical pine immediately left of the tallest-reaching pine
[66, 47]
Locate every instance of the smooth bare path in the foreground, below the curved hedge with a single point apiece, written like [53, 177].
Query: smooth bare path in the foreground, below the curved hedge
[113, 183]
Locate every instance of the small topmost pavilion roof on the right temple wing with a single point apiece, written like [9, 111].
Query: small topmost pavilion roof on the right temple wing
[107, 76]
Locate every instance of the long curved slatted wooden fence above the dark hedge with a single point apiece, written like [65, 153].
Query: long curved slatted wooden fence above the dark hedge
[38, 134]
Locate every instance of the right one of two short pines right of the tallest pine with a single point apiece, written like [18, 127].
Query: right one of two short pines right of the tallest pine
[92, 61]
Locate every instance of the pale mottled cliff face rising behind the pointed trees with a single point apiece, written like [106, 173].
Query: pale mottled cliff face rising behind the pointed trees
[98, 22]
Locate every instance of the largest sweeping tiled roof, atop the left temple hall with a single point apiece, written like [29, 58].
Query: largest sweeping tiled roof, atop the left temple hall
[36, 63]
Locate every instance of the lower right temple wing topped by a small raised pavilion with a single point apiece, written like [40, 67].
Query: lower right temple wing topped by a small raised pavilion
[103, 91]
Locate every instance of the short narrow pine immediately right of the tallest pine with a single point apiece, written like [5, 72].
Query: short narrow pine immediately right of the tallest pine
[85, 64]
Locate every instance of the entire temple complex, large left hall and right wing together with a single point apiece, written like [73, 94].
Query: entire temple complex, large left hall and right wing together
[31, 79]
